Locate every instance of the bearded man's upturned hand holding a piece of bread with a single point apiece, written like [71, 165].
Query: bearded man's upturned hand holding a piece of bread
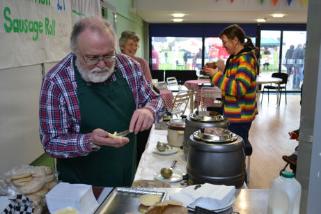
[101, 137]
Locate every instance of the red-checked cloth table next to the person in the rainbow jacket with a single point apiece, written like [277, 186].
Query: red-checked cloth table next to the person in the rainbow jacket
[210, 92]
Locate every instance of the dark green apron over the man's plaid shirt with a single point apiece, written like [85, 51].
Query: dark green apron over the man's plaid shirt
[108, 106]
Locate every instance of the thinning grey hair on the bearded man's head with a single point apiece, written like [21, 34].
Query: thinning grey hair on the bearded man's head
[95, 24]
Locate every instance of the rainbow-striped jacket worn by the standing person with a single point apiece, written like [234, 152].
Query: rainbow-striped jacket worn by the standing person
[238, 85]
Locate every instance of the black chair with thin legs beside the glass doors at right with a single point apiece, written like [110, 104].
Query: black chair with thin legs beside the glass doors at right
[278, 87]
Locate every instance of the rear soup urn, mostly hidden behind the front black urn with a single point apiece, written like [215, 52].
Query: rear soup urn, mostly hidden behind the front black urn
[198, 120]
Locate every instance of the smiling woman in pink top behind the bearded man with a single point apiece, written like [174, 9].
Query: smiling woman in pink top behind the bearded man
[128, 43]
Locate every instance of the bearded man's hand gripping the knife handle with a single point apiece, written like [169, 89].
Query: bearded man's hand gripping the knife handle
[142, 119]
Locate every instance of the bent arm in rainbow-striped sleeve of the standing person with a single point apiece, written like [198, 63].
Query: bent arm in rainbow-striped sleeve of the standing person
[238, 86]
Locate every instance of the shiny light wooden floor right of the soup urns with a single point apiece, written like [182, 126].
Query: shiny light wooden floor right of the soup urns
[270, 140]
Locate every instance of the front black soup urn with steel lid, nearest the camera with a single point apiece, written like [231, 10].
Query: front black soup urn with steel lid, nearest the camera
[216, 156]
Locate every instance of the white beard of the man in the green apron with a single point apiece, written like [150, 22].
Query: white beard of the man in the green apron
[95, 75]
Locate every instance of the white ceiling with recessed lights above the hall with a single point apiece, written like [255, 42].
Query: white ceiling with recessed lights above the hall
[219, 11]
